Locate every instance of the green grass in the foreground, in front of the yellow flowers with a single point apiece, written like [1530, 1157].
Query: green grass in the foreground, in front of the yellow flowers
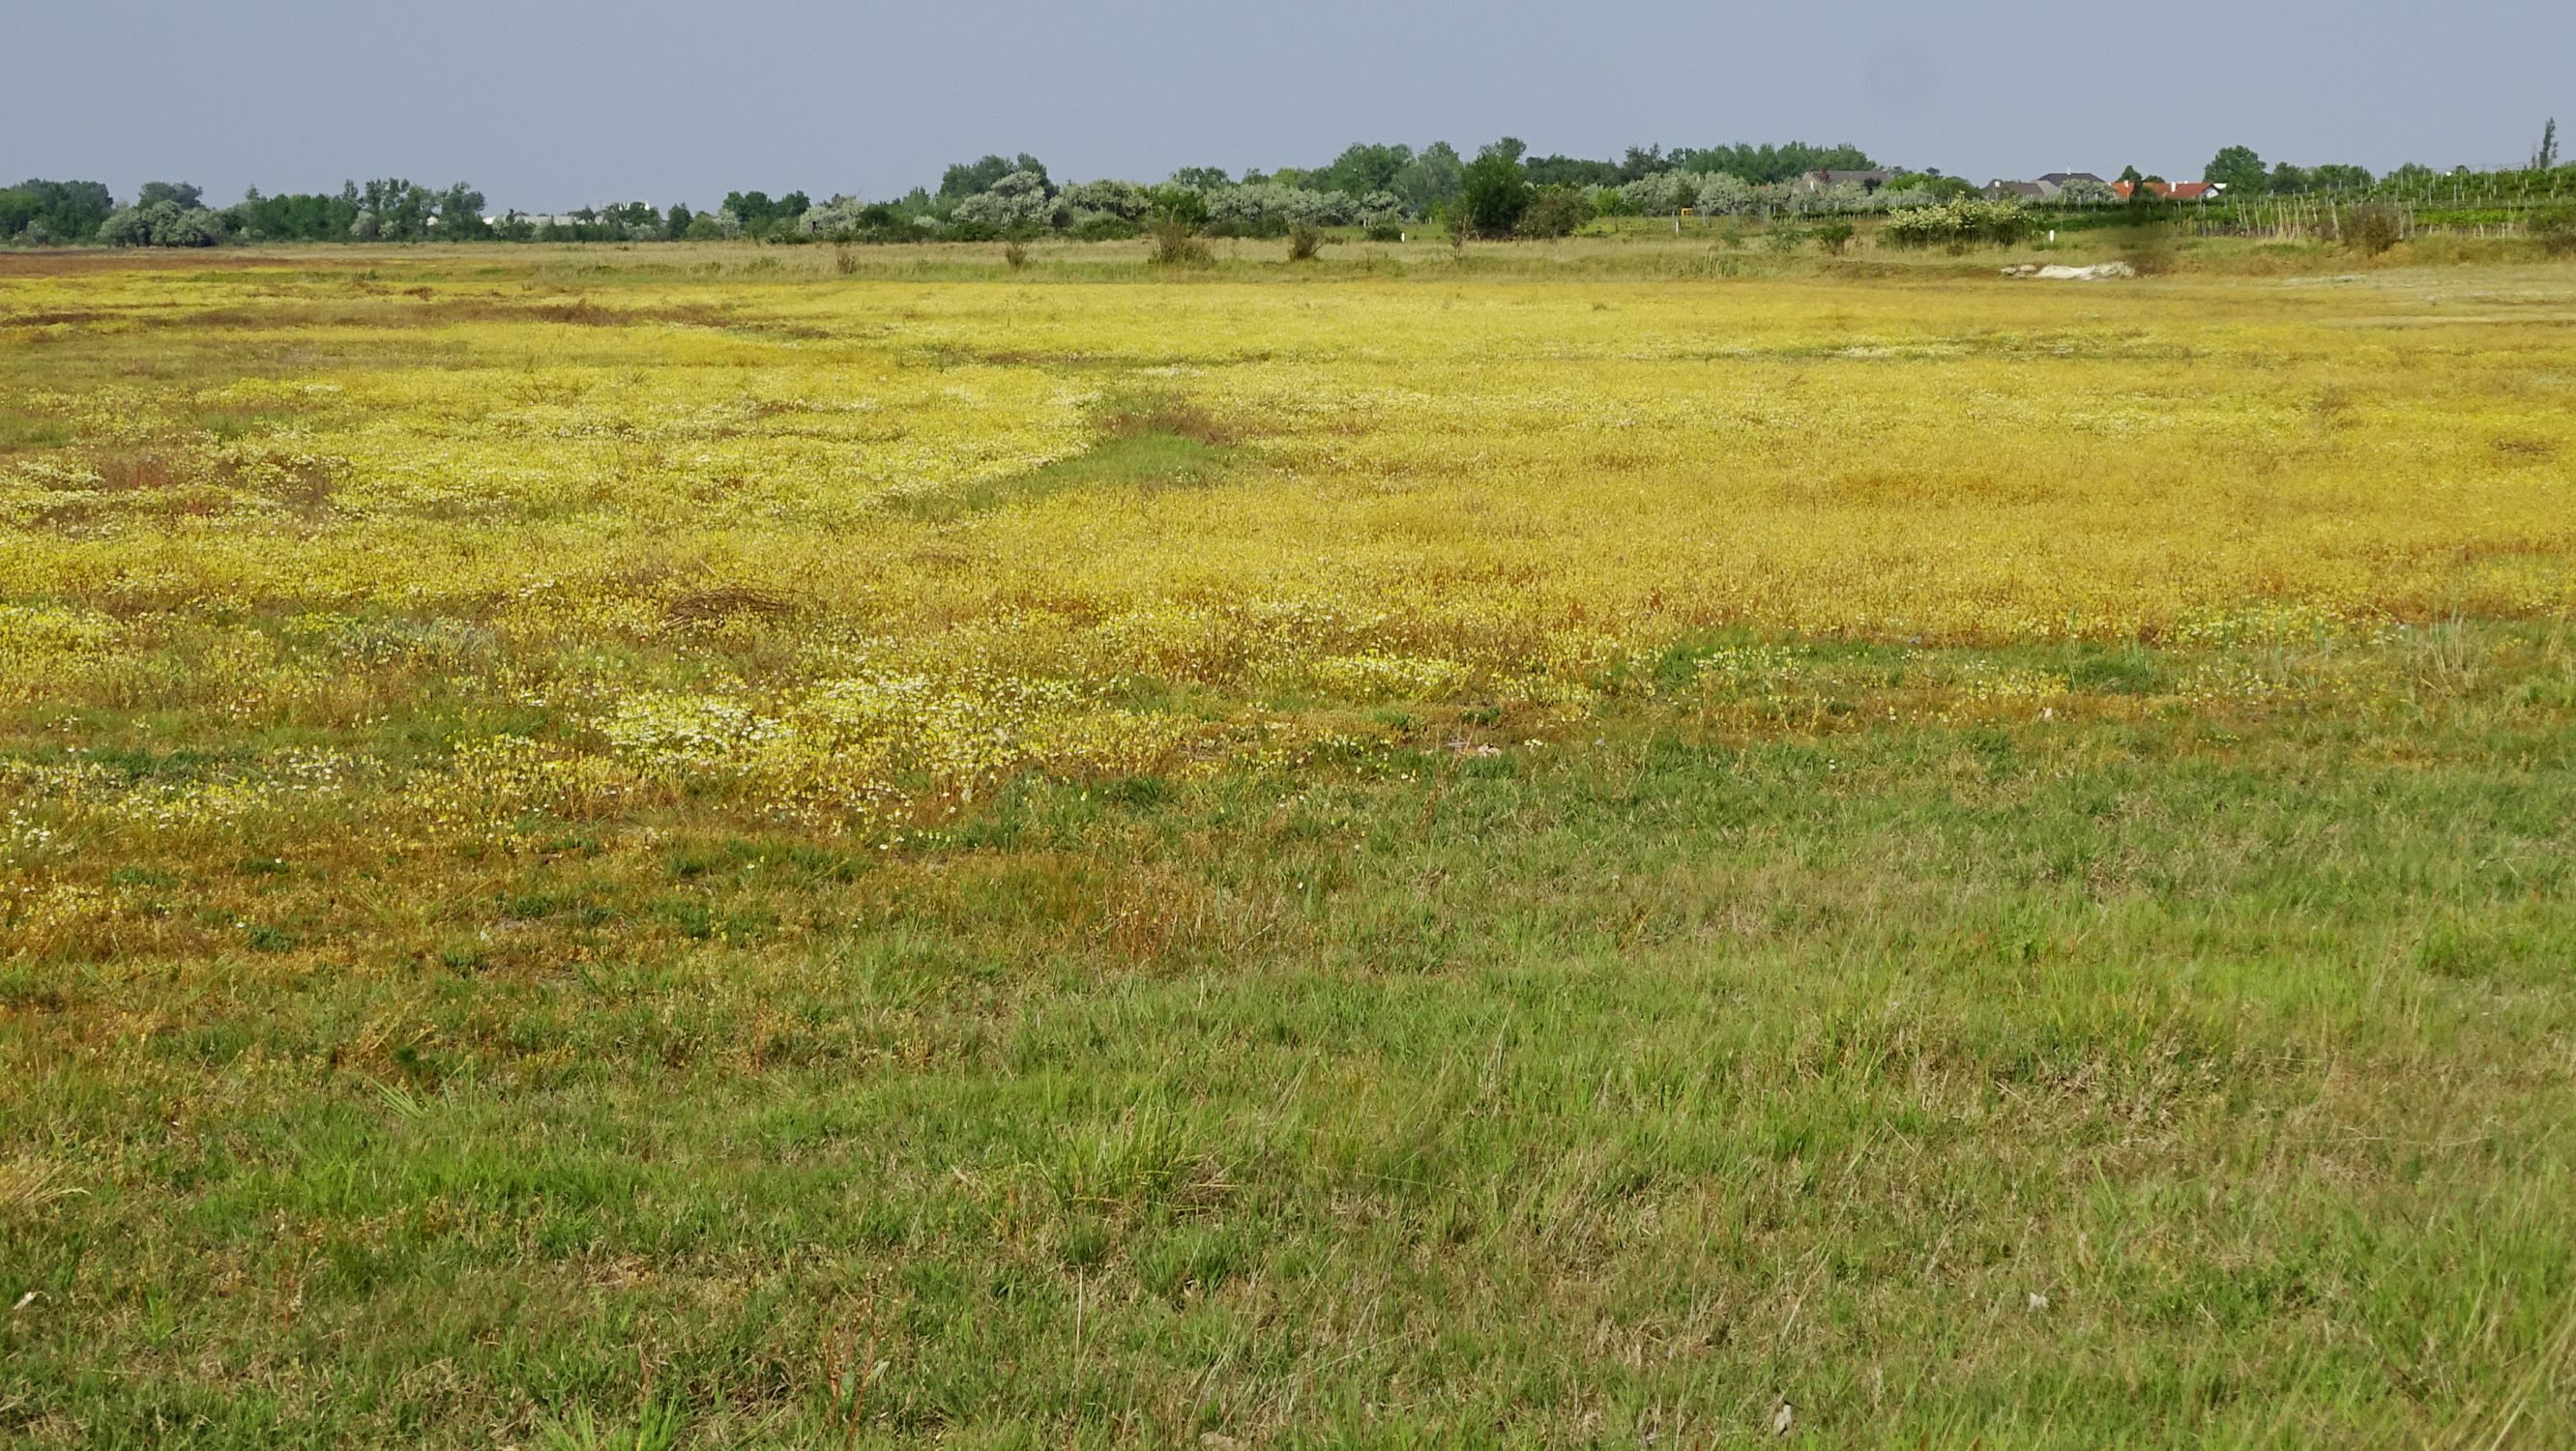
[2119, 1081]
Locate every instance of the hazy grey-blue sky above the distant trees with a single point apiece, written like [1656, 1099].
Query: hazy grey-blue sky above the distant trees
[568, 102]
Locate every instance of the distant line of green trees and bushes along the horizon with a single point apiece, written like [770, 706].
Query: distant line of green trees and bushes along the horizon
[1374, 187]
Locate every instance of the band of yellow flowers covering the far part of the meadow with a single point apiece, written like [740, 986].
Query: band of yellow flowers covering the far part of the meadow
[831, 548]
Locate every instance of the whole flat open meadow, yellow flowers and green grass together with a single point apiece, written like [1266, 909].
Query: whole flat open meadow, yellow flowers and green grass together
[687, 849]
